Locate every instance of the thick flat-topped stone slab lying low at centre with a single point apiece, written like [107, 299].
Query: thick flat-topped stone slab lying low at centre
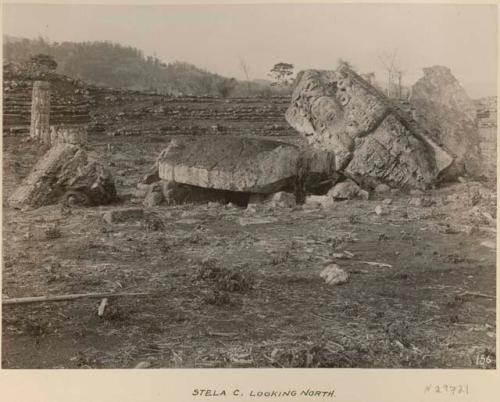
[230, 163]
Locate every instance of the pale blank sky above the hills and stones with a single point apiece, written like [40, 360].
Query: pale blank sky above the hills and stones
[462, 37]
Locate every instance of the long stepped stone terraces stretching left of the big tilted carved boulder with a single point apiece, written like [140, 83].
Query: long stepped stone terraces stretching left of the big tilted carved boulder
[117, 112]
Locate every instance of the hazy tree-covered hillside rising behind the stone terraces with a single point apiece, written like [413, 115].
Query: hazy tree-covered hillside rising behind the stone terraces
[114, 65]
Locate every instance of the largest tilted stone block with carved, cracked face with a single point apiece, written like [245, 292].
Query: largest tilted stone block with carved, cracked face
[372, 142]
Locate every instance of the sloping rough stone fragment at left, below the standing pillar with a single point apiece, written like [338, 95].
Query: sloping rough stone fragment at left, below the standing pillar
[65, 173]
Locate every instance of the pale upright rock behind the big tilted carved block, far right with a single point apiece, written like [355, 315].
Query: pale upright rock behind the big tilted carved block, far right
[445, 111]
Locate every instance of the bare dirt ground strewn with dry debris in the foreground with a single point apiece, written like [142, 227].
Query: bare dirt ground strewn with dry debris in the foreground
[232, 288]
